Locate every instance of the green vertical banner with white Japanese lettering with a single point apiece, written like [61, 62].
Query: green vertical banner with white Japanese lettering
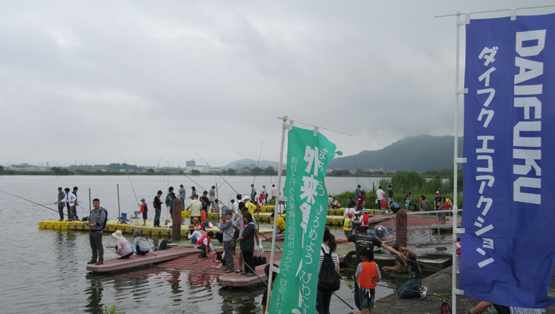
[308, 155]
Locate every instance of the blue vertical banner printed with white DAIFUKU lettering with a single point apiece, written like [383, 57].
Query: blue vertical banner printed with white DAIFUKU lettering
[508, 248]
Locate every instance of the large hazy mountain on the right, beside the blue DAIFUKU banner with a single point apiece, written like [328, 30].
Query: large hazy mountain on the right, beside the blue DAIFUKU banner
[417, 153]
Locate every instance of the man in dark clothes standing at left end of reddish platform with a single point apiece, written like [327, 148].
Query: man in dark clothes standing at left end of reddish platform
[96, 223]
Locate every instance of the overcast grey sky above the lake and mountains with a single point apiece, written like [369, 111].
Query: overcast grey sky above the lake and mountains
[78, 79]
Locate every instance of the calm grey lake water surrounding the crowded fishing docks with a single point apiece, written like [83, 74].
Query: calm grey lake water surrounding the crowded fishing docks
[44, 271]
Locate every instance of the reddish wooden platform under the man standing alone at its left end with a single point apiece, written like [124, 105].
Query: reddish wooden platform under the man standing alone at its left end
[136, 260]
